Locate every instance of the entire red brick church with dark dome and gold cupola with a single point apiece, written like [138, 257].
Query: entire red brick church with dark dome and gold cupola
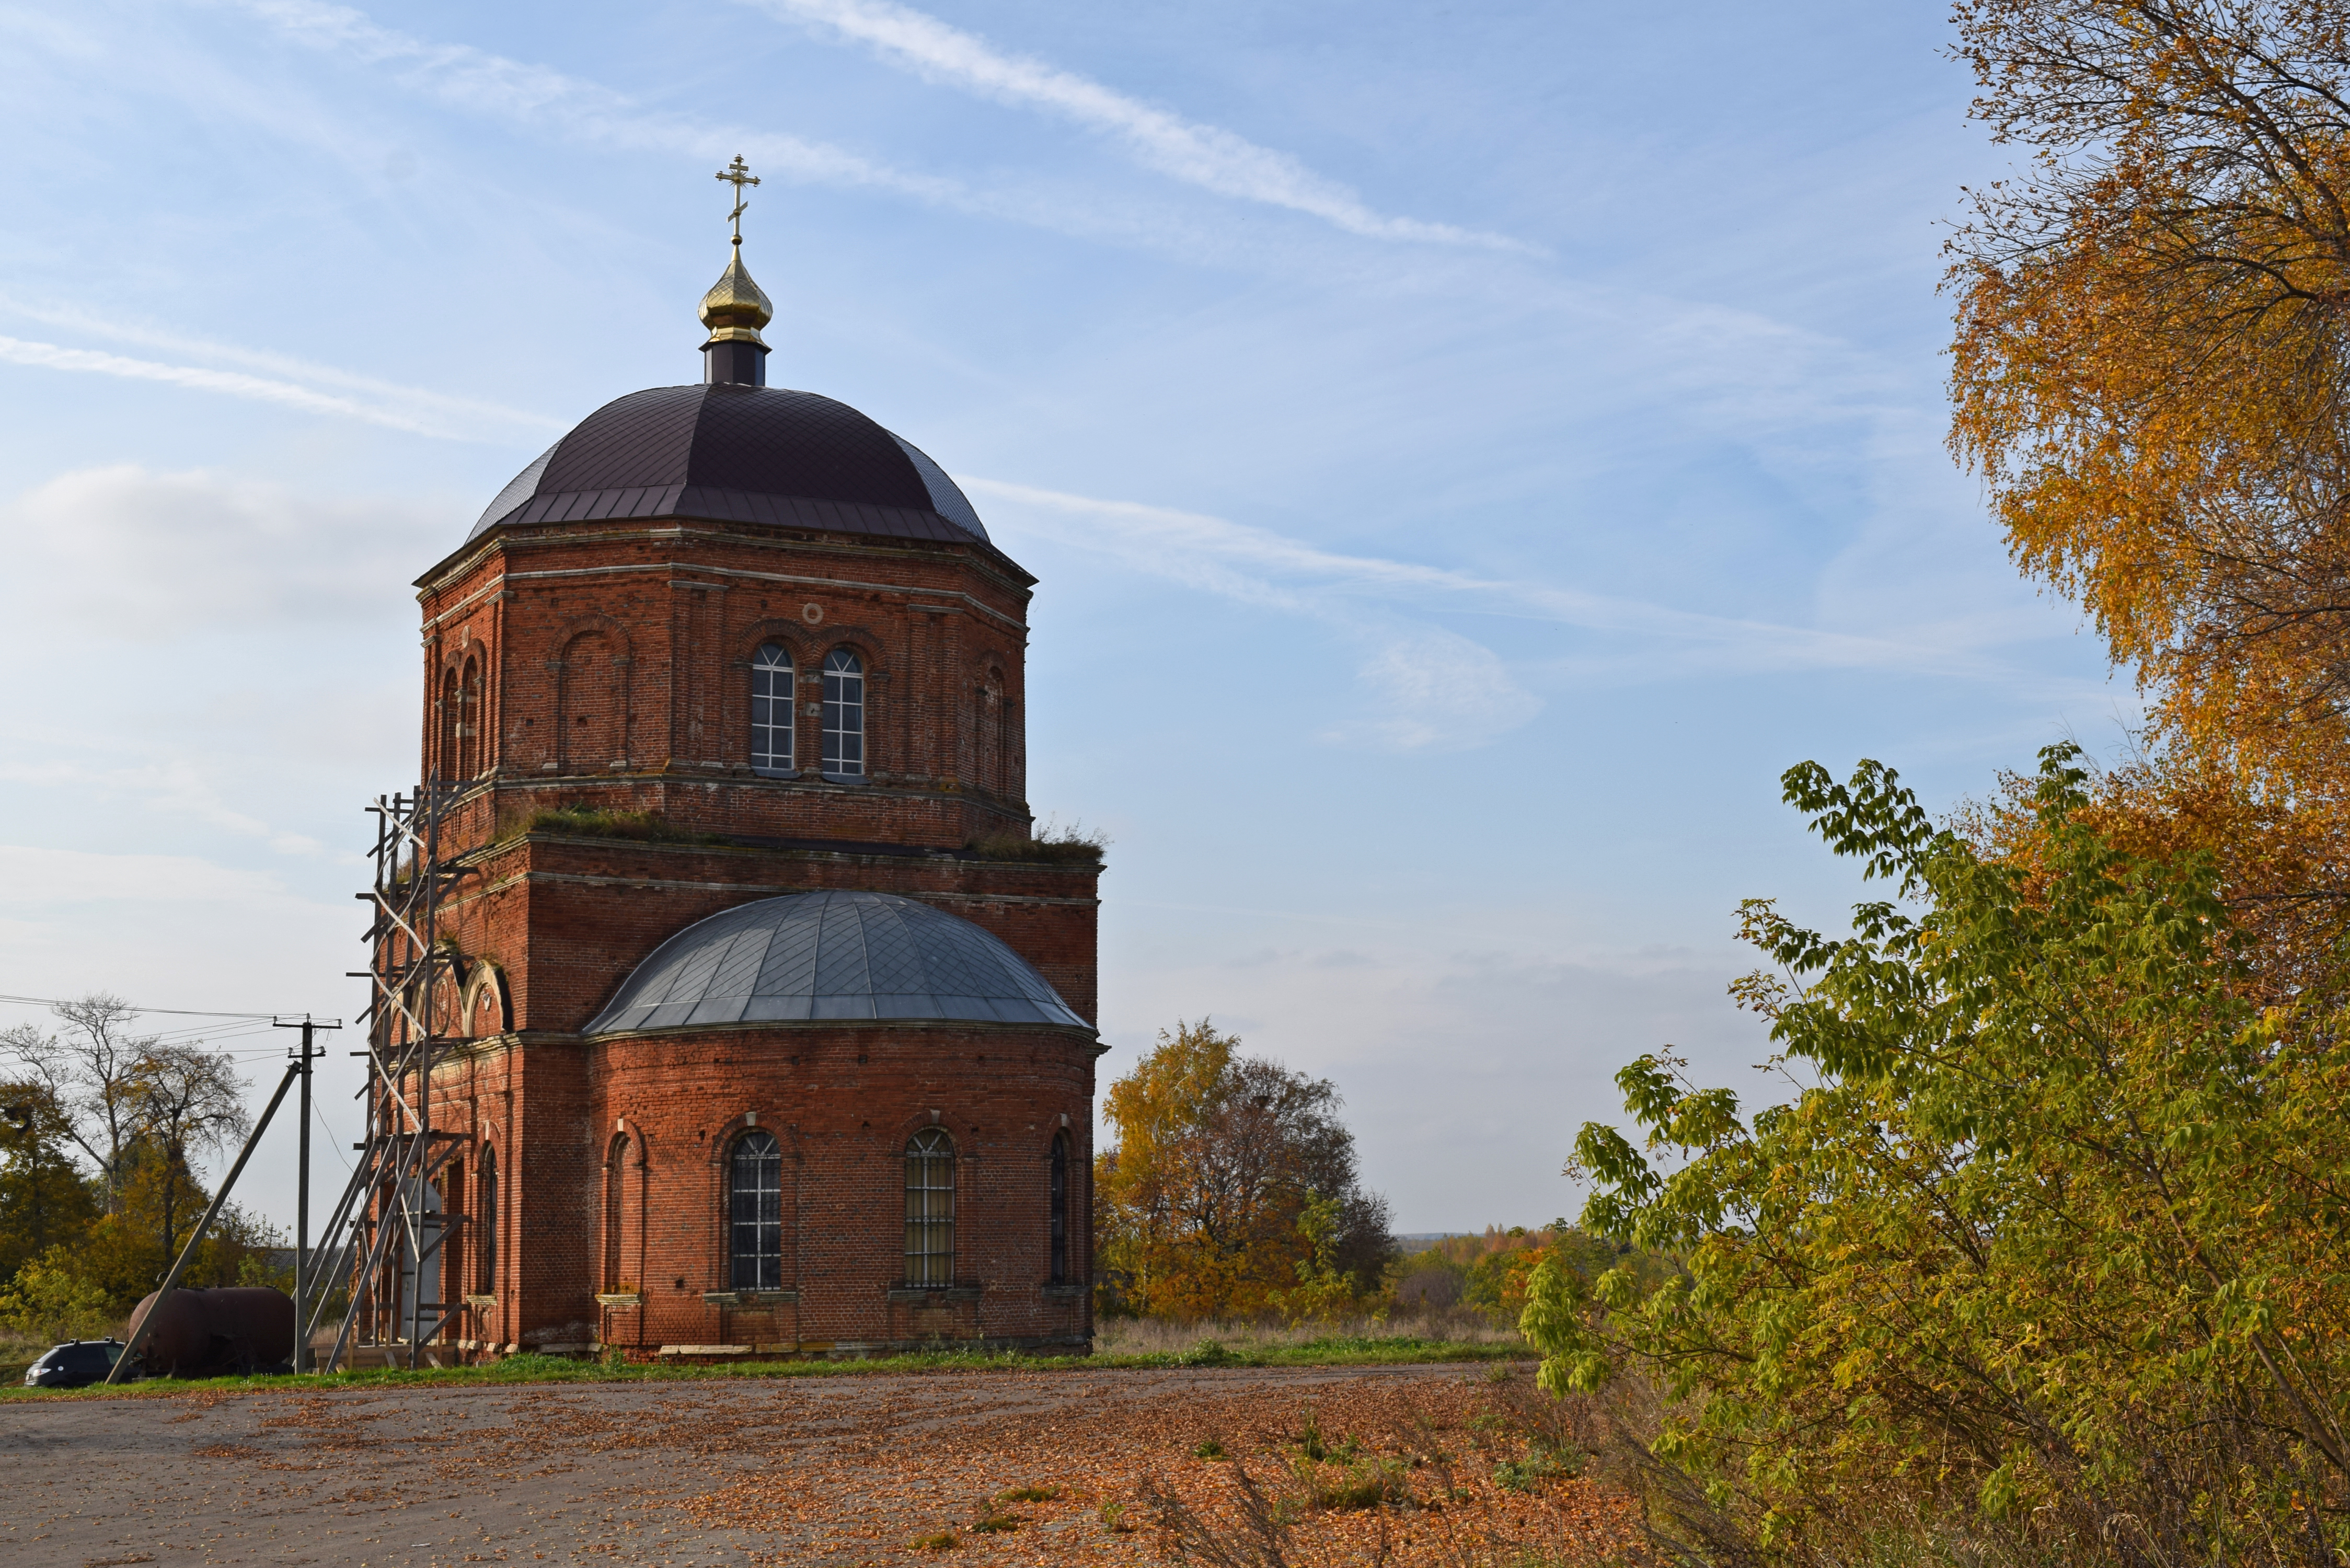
[777, 1024]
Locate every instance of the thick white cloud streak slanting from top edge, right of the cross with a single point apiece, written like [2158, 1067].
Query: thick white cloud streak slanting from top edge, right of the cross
[1207, 156]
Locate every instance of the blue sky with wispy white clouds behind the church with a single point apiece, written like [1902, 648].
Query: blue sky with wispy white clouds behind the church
[1468, 455]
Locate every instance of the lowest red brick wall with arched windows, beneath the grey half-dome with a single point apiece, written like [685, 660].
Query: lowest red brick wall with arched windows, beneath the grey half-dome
[659, 1115]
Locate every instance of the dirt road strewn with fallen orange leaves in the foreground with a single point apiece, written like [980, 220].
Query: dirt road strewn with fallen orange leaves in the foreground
[727, 1473]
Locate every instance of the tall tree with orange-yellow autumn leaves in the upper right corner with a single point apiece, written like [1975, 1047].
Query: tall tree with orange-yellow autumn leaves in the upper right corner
[2154, 351]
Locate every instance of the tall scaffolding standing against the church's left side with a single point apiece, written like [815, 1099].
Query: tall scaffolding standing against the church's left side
[391, 1209]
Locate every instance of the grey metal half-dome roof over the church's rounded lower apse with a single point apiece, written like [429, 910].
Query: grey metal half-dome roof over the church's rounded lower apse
[833, 956]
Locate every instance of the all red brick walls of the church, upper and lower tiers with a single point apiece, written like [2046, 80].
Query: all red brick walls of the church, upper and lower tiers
[607, 666]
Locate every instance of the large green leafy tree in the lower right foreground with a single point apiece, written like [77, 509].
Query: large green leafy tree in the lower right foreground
[2050, 1252]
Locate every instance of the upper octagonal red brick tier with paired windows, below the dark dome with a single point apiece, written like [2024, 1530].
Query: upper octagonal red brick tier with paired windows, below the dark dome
[622, 652]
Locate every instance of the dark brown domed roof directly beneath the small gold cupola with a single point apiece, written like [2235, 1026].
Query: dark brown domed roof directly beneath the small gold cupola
[739, 455]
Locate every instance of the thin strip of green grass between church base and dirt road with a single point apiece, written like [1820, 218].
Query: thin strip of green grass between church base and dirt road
[1336, 1351]
